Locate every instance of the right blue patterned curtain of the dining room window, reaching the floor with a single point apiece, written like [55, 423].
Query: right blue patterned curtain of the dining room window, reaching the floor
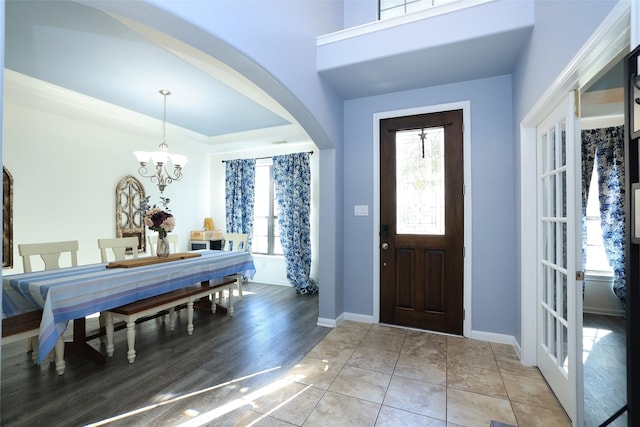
[293, 187]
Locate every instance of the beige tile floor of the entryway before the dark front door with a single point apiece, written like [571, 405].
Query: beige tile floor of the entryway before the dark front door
[374, 375]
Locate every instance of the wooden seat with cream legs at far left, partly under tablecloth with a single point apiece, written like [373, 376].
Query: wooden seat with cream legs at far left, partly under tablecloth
[27, 326]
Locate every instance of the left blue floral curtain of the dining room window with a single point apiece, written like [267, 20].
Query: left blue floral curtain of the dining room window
[240, 196]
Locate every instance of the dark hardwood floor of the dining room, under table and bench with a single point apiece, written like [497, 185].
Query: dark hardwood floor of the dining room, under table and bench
[272, 328]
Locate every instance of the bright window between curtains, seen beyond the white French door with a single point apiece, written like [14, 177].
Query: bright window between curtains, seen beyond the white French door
[597, 262]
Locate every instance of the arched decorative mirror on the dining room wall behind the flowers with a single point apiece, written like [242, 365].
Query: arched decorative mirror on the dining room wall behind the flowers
[129, 216]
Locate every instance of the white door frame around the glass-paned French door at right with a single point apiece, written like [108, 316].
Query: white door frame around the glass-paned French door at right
[609, 39]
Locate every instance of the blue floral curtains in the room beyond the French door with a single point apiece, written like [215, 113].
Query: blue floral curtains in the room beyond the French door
[606, 147]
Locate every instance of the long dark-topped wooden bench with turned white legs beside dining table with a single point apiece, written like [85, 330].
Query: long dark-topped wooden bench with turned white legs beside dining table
[168, 301]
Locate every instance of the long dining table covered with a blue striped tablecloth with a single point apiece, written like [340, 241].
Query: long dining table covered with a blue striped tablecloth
[73, 293]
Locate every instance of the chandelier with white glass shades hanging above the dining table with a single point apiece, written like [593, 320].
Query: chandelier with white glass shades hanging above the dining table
[158, 171]
